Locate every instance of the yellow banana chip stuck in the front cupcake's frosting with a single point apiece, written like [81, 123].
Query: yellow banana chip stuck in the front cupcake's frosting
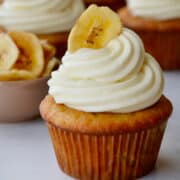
[94, 29]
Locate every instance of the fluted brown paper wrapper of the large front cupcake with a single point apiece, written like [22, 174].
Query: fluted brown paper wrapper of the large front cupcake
[107, 157]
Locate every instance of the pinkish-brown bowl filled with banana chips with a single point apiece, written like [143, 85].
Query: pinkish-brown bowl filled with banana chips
[25, 66]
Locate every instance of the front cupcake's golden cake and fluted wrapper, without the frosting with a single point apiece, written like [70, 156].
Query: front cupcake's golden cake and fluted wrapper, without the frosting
[106, 146]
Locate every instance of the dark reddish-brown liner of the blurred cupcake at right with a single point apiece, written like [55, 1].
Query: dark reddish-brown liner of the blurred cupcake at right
[164, 46]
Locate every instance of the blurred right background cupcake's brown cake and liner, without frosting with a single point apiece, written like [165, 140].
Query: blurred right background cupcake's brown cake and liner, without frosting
[161, 38]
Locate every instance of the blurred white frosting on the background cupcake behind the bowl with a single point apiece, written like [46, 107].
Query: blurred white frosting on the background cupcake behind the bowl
[40, 16]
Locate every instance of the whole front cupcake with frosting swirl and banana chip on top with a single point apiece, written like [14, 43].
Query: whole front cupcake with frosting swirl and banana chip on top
[105, 111]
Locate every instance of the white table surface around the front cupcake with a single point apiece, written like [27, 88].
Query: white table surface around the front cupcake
[26, 152]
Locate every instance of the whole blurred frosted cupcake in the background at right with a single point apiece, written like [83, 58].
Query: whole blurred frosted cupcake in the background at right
[158, 24]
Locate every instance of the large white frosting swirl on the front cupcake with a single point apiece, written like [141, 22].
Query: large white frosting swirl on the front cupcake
[120, 77]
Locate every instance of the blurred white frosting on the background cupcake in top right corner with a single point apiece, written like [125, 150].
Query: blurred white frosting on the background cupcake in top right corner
[154, 9]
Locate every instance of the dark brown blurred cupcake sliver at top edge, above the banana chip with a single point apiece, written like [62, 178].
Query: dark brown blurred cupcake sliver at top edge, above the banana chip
[114, 4]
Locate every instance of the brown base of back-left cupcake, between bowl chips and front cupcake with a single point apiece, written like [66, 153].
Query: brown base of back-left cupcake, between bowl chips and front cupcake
[59, 40]
